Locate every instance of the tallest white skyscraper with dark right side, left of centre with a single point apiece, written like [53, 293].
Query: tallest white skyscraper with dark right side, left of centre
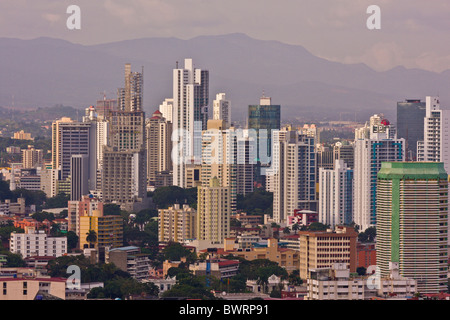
[190, 115]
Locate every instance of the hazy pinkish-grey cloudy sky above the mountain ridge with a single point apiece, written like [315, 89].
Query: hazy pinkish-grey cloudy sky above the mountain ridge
[414, 33]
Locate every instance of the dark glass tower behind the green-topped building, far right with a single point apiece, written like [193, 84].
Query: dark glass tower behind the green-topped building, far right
[410, 117]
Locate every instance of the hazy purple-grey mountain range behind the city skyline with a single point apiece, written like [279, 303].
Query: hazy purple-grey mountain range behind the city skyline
[44, 72]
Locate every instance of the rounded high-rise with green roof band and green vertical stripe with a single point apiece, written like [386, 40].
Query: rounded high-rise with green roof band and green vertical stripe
[412, 216]
